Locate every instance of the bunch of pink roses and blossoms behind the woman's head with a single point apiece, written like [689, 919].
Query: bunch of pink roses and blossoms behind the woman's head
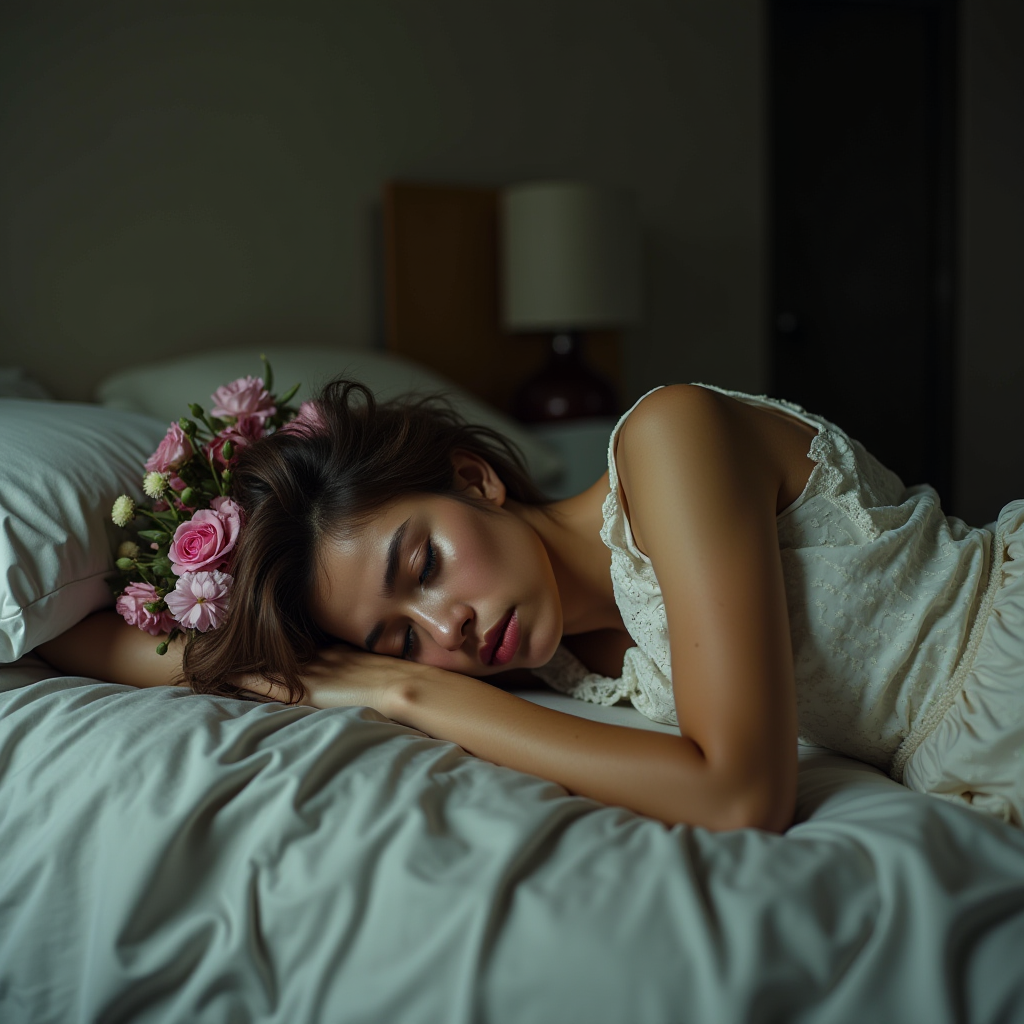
[176, 576]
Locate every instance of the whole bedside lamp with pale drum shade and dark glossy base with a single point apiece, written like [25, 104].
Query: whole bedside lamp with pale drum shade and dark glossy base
[571, 264]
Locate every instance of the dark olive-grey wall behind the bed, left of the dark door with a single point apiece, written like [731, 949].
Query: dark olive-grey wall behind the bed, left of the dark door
[178, 174]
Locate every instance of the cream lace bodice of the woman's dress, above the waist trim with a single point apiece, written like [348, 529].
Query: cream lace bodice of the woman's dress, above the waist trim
[888, 601]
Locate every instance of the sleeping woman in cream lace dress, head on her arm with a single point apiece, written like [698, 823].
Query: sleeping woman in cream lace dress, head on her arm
[744, 570]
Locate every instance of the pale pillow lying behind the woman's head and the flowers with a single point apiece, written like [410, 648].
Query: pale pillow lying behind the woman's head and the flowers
[164, 390]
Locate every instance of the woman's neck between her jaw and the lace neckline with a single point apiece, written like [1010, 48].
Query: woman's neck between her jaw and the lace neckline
[571, 532]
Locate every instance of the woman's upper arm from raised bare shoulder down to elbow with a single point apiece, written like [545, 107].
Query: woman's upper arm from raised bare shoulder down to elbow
[702, 486]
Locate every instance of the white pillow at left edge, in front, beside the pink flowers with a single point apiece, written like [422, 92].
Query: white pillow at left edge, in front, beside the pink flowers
[62, 466]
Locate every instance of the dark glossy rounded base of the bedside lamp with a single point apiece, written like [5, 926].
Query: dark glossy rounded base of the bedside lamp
[567, 389]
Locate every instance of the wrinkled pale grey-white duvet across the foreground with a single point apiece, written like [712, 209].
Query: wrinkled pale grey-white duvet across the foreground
[169, 858]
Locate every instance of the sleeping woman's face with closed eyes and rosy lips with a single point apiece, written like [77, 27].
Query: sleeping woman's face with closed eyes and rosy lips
[442, 582]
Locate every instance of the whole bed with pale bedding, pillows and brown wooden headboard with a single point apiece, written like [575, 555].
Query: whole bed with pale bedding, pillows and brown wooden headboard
[169, 858]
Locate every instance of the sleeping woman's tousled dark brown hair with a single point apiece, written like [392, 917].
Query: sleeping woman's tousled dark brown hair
[302, 486]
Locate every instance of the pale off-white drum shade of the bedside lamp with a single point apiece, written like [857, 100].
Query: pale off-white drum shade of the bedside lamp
[571, 259]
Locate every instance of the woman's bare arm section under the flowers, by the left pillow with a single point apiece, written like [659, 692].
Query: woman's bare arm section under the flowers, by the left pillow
[105, 647]
